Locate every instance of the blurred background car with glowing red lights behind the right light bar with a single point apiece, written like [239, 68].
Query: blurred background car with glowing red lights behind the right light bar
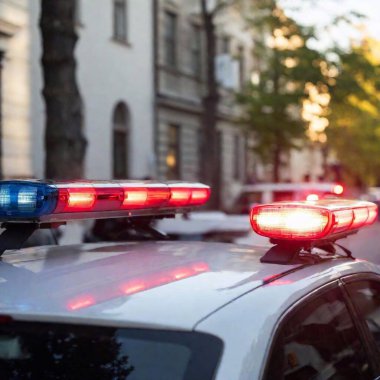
[277, 192]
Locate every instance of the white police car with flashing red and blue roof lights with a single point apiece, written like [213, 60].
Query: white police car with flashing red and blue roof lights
[301, 308]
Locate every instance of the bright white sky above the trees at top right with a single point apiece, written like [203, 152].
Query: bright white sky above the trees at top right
[321, 12]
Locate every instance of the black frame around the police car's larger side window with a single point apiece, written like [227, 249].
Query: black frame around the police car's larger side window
[293, 309]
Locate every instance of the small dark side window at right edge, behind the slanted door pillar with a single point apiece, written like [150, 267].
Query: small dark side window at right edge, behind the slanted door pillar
[366, 297]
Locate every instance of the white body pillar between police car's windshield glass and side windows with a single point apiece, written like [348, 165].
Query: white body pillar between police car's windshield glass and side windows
[258, 313]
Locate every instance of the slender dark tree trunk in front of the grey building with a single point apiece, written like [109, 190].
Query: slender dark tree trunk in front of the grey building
[210, 164]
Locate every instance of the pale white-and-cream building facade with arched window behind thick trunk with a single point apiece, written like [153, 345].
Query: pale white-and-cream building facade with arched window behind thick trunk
[115, 76]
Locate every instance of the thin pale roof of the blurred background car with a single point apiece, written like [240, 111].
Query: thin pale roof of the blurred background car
[321, 186]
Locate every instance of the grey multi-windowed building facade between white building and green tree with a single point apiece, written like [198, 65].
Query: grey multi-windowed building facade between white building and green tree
[181, 85]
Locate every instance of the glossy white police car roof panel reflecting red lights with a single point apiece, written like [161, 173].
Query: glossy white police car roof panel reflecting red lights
[88, 282]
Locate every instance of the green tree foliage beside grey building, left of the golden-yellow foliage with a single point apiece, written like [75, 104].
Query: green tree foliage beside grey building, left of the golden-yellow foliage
[286, 64]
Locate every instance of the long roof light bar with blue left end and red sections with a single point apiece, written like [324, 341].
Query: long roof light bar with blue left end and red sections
[35, 201]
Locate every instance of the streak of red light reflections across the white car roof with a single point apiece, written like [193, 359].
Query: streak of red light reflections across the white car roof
[138, 284]
